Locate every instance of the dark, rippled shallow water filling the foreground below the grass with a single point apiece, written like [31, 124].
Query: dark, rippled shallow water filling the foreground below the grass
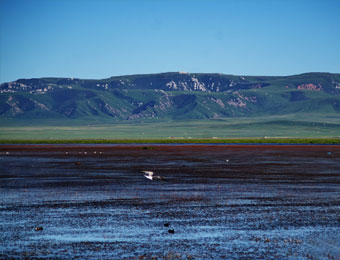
[223, 202]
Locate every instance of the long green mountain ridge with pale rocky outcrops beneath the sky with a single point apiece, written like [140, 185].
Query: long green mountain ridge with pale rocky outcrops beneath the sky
[175, 95]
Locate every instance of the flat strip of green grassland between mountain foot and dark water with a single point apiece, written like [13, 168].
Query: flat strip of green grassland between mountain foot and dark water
[256, 128]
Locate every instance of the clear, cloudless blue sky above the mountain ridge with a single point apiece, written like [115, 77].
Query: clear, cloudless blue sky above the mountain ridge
[103, 38]
